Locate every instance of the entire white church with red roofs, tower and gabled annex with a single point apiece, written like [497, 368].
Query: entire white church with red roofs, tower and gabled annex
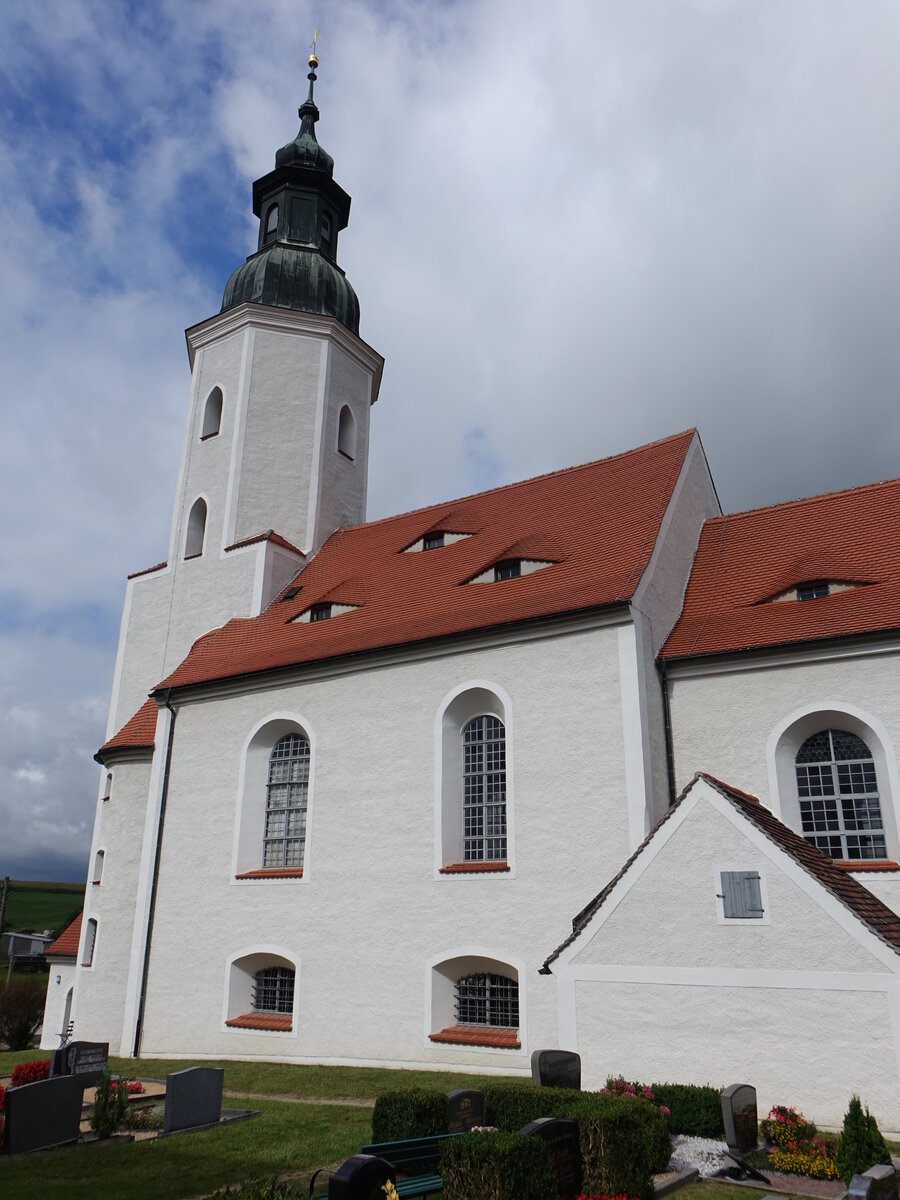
[385, 767]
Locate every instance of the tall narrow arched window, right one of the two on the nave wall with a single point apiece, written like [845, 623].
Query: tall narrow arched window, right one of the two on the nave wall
[484, 779]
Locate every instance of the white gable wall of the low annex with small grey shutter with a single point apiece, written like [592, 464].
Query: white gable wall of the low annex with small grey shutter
[803, 1006]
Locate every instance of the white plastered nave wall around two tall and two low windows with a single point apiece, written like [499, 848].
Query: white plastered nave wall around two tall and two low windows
[371, 913]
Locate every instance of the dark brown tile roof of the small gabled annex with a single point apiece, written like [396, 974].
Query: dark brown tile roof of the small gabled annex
[867, 908]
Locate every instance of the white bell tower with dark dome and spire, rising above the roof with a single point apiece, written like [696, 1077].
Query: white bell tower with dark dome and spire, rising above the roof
[275, 454]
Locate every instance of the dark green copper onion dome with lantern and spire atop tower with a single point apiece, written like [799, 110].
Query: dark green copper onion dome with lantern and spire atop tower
[302, 211]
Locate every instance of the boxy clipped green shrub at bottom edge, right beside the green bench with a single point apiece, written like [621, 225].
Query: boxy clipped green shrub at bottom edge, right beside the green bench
[496, 1167]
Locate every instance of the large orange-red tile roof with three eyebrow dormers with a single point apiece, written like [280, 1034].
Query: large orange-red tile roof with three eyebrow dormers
[598, 524]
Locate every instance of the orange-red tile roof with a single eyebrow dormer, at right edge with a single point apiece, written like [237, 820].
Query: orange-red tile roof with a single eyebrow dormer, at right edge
[746, 560]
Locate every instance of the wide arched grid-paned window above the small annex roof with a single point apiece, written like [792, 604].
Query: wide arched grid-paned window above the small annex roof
[841, 811]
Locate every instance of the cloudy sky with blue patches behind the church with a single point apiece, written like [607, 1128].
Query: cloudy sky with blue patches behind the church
[571, 235]
